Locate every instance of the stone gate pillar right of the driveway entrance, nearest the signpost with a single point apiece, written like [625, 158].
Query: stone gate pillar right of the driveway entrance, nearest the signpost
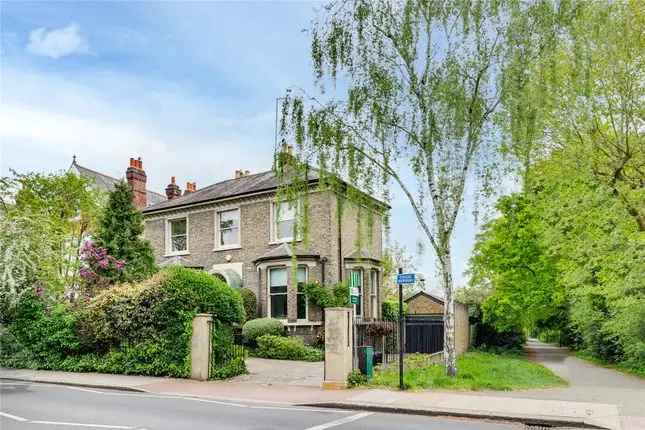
[339, 326]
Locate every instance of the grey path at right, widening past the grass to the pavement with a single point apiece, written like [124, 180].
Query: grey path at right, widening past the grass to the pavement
[587, 383]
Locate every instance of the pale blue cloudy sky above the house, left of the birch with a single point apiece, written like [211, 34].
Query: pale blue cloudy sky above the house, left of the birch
[189, 87]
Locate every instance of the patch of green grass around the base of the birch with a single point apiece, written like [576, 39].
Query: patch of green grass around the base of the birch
[476, 371]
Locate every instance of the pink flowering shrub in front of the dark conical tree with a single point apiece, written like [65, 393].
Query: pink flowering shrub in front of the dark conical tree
[100, 270]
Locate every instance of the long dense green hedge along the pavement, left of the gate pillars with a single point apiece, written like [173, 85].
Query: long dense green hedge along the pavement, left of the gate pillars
[140, 328]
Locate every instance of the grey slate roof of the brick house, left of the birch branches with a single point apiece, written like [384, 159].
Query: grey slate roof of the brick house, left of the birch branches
[255, 183]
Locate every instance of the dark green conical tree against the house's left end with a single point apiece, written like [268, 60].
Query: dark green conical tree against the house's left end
[120, 231]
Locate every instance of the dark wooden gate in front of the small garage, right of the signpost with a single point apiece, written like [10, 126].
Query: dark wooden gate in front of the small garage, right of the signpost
[423, 334]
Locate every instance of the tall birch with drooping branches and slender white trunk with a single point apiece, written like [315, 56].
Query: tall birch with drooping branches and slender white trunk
[423, 82]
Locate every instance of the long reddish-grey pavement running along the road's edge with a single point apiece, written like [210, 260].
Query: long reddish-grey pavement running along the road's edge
[552, 412]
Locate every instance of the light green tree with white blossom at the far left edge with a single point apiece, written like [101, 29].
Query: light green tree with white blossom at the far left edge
[43, 219]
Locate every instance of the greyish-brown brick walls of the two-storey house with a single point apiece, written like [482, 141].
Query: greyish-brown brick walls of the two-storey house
[255, 236]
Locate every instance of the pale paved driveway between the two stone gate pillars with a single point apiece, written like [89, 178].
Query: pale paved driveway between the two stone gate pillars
[284, 372]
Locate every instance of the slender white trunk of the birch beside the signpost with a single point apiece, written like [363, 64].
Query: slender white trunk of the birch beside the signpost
[450, 356]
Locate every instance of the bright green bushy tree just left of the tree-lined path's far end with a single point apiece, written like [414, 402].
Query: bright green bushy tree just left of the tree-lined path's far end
[510, 255]
